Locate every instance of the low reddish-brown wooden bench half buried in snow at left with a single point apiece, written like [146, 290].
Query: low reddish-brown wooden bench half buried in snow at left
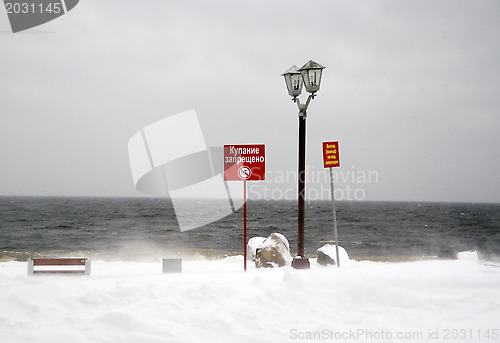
[59, 265]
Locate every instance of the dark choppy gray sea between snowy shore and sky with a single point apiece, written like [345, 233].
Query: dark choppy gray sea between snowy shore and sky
[141, 229]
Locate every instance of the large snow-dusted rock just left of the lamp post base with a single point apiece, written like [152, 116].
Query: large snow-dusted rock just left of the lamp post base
[273, 252]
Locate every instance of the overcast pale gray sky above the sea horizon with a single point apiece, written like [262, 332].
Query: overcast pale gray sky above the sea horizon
[411, 91]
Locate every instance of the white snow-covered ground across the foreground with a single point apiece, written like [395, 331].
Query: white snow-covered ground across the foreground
[215, 301]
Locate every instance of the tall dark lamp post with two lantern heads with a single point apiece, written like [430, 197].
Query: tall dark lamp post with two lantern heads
[310, 75]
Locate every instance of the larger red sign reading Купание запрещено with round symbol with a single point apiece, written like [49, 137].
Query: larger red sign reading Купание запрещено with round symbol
[245, 162]
